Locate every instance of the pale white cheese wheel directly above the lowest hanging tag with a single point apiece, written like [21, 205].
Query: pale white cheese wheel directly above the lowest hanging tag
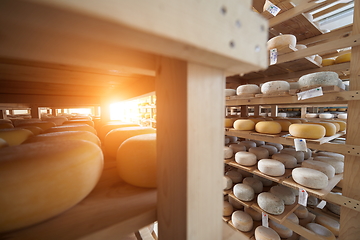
[270, 203]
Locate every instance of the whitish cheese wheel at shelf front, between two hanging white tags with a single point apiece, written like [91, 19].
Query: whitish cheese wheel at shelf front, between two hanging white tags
[310, 178]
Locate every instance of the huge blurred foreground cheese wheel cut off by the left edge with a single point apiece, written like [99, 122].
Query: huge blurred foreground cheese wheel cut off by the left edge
[64, 173]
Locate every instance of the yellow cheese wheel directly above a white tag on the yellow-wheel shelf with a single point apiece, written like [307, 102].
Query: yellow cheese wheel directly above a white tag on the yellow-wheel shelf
[310, 131]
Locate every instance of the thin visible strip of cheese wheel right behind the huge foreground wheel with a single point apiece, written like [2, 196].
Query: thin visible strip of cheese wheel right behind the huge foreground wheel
[76, 135]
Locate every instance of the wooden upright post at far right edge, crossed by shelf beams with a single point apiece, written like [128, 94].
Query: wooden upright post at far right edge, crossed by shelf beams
[349, 219]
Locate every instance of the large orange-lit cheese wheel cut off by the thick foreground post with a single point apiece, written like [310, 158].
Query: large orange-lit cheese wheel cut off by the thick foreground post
[136, 160]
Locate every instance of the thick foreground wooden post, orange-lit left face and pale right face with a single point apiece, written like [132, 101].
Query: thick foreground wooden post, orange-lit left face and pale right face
[189, 155]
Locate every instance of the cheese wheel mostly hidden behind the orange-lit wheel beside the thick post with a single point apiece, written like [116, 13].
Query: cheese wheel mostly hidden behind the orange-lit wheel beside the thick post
[116, 137]
